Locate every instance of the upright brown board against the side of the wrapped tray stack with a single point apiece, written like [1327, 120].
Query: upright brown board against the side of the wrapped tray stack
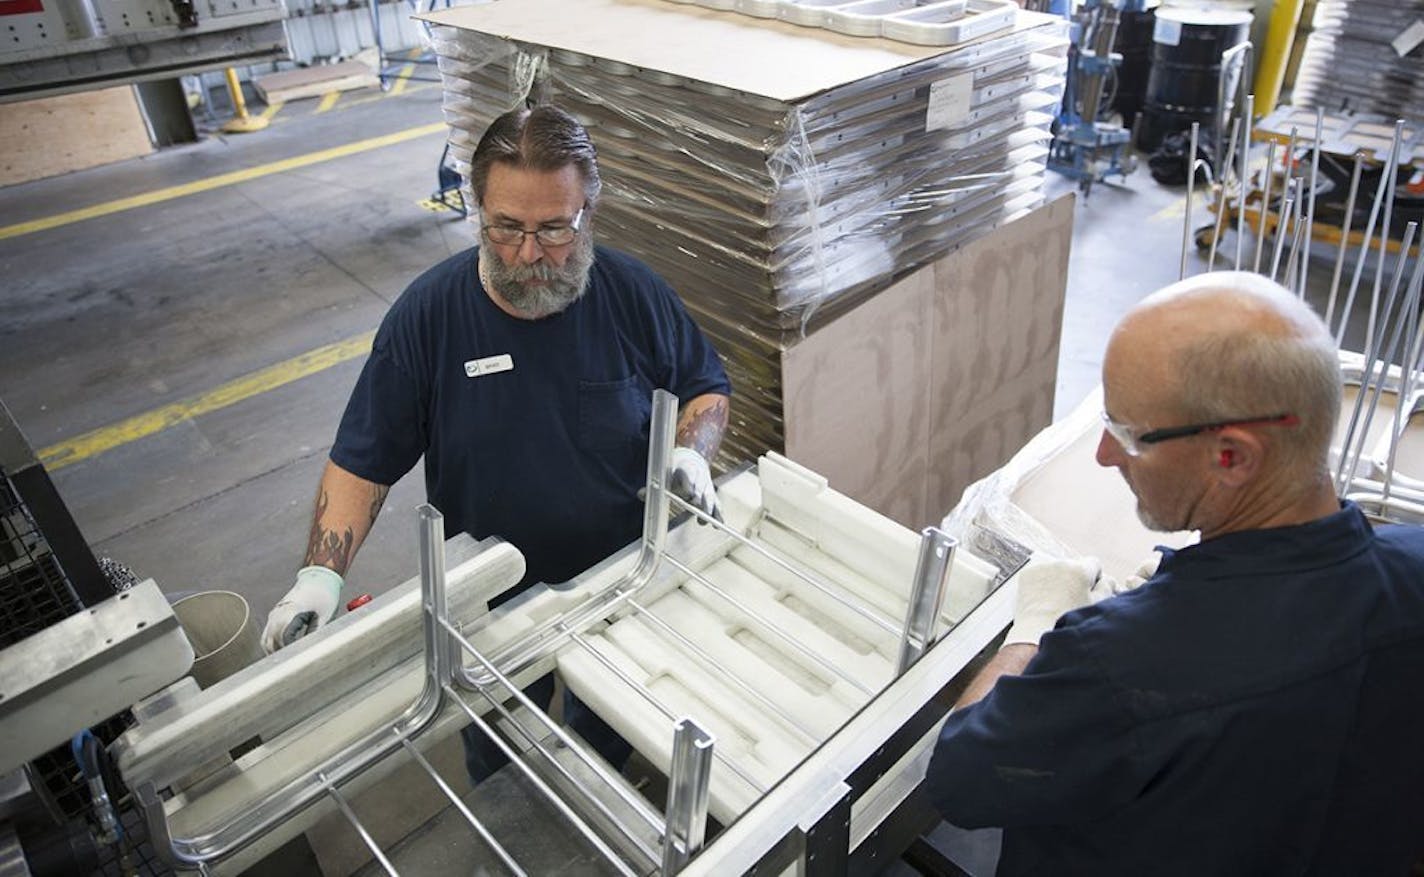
[941, 379]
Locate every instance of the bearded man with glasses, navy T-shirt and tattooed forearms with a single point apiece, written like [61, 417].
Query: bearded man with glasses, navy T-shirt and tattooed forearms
[523, 372]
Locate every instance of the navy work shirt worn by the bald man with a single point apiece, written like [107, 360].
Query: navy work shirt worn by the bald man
[1255, 708]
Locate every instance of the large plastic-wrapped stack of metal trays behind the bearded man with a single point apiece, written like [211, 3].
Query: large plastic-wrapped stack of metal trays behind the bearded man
[768, 216]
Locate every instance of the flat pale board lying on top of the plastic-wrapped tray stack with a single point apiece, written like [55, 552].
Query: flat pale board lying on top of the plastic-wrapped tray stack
[758, 56]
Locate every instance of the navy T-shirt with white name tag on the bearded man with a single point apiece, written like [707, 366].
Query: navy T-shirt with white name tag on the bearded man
[532, 431]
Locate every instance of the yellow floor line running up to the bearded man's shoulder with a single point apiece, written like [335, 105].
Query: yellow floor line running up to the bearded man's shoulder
[140, 426]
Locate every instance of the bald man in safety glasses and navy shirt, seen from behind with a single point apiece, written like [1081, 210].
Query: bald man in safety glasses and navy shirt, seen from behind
[1257, 707]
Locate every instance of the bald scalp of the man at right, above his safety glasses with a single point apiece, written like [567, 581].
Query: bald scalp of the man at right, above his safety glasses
[1234, 345]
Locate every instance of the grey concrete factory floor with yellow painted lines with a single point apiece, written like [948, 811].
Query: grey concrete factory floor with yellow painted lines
[179, 334]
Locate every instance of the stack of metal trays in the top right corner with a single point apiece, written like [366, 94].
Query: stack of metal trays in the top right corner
[1354, 59]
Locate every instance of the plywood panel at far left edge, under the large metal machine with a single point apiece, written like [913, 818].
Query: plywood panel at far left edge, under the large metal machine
[69, 133]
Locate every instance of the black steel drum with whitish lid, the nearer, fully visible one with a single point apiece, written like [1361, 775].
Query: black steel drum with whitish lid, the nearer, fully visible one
[1187, 69]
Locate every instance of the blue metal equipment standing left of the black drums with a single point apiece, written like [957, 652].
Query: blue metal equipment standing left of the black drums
[1086, 149]
